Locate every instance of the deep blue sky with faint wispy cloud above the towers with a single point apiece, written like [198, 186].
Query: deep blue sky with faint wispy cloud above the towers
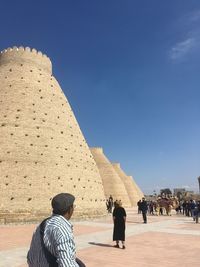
[131, 72]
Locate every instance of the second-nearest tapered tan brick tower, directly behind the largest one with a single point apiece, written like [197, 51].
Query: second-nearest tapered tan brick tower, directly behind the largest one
[112, 183]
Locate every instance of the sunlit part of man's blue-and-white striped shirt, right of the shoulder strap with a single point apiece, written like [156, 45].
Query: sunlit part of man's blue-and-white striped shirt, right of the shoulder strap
[59, 240]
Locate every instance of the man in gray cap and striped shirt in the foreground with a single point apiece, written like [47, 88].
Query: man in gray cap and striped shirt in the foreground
[55, 245]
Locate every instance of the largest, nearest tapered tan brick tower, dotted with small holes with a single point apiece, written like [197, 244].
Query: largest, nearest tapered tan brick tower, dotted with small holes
[42, 149]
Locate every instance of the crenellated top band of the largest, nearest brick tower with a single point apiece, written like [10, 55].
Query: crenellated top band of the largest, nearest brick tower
[25, 55]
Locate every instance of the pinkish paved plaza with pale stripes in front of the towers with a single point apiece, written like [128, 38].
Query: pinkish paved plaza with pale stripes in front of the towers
[163, 241]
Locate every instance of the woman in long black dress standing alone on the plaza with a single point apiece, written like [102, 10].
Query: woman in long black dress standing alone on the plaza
[119, 220]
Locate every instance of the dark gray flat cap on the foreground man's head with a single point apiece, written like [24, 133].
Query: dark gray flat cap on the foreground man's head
[61, 202]
